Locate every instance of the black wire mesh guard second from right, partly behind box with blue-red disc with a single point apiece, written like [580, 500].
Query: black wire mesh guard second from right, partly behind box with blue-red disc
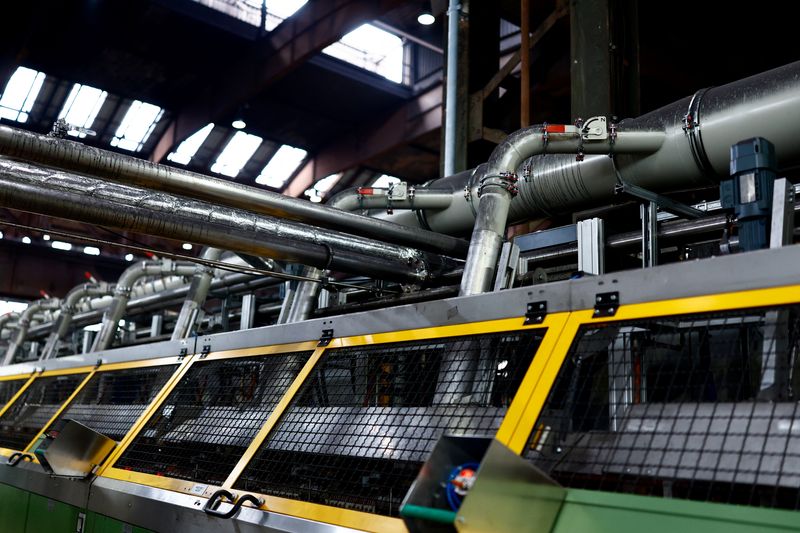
[359, 428]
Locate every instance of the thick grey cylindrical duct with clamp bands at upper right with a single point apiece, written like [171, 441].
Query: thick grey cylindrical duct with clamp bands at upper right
[694, 153]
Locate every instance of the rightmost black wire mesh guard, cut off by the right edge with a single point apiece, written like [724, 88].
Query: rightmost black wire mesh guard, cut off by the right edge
[701, 407]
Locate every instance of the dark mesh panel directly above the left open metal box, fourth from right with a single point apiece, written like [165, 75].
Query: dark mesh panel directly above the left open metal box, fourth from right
[112, 401]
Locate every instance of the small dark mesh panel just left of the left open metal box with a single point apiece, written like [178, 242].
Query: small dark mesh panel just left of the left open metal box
[34, 408]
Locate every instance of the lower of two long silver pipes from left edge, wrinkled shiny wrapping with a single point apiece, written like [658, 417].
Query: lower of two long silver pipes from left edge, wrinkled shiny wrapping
[54, 193]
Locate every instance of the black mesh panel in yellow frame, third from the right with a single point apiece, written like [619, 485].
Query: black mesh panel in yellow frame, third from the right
[208, 420]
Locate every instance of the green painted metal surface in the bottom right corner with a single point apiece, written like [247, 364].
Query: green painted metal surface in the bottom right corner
[605, 512]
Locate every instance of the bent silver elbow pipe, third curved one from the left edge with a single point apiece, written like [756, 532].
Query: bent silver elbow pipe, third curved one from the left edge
[122, 293]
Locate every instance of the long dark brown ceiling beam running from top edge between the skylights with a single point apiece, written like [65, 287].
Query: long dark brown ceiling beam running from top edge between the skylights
[315, 26]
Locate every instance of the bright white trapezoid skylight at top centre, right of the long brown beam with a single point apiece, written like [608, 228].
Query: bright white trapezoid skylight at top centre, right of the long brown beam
[372, 49]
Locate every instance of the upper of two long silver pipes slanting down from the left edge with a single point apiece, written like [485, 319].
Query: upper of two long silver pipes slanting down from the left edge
[74, 156]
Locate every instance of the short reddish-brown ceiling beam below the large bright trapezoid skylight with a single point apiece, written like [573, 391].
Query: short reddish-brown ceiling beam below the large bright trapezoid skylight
[411, 121]
